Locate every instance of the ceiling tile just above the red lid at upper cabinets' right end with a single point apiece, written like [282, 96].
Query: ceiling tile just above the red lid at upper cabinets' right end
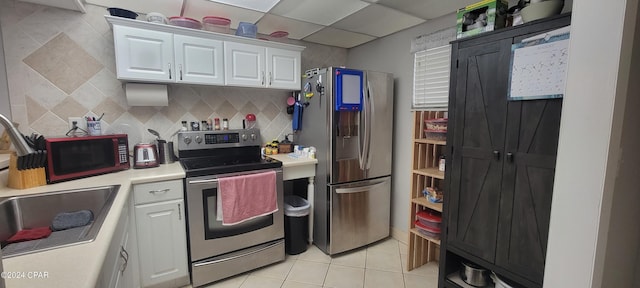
[297, 29]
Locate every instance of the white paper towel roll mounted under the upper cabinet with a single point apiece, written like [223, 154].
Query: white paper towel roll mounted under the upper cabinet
[146, 94]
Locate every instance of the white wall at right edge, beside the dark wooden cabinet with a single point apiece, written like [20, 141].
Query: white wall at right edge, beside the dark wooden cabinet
[593, 237]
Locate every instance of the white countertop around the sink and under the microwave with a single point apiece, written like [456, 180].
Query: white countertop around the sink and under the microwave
[79, 265]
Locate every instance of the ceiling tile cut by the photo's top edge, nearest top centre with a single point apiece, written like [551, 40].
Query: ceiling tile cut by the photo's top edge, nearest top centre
[324, 12]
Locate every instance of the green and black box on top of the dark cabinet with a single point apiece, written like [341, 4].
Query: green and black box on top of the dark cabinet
[487, 15]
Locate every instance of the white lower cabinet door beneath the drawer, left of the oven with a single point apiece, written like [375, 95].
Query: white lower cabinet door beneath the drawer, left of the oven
[162, 241]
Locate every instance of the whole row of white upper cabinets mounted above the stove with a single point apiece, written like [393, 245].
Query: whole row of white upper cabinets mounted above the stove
[151, 52]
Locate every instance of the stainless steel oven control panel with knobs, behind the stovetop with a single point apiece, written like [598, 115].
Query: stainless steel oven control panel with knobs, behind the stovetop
[194, 140]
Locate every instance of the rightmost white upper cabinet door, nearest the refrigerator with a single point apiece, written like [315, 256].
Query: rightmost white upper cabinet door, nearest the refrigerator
[283, 68]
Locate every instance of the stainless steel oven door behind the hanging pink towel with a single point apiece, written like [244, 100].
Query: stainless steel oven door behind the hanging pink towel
[208, 237]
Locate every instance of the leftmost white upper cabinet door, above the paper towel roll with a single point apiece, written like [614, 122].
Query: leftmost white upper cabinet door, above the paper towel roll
[143, 55]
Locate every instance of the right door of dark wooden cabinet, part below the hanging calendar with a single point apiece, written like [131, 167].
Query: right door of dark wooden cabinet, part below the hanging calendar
[531, 145]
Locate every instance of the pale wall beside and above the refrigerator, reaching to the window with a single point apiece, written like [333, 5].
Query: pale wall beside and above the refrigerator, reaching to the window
[392, 54]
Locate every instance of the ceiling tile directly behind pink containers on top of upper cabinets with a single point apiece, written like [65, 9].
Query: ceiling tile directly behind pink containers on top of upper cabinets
[197, 9]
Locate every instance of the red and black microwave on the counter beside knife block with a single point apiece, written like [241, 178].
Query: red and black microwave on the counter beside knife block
[77, 157]
